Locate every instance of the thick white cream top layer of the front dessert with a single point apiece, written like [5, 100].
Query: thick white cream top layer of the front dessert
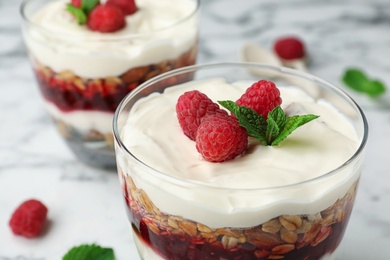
[240, 192]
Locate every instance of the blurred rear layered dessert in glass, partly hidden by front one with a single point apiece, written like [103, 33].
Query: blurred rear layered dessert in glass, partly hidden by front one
[84, 71]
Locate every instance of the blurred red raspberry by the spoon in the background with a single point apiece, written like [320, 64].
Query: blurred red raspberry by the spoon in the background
[289, 48]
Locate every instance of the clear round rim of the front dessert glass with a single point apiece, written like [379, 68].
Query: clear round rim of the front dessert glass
[194, 68]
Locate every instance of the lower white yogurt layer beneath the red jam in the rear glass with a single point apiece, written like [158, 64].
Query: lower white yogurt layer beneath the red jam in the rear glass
[83, 120]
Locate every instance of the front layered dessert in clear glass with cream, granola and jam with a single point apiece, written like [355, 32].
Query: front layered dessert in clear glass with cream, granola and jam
[292, 200]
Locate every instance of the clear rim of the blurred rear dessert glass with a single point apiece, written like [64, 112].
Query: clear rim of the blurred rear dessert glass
[98, 38]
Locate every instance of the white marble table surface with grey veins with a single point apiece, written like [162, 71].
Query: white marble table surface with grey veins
[85, 204]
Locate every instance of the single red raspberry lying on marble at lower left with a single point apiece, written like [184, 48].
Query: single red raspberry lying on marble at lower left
[28, 219]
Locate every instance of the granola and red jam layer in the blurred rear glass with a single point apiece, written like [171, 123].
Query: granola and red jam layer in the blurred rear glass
[70, 92]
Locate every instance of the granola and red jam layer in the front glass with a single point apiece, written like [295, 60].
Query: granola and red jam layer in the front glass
[303, 236]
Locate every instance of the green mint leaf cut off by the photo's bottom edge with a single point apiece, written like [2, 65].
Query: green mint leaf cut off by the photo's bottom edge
[89, 252]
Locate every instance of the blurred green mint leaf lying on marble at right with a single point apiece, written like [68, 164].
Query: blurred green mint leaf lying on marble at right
[357, 80]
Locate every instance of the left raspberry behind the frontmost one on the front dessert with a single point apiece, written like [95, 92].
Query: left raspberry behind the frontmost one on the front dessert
[191, 107]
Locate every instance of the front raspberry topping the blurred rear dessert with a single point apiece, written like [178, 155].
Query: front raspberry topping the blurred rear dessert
[106, 18]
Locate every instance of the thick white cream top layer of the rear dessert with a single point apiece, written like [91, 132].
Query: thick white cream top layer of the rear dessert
[158, 31]
